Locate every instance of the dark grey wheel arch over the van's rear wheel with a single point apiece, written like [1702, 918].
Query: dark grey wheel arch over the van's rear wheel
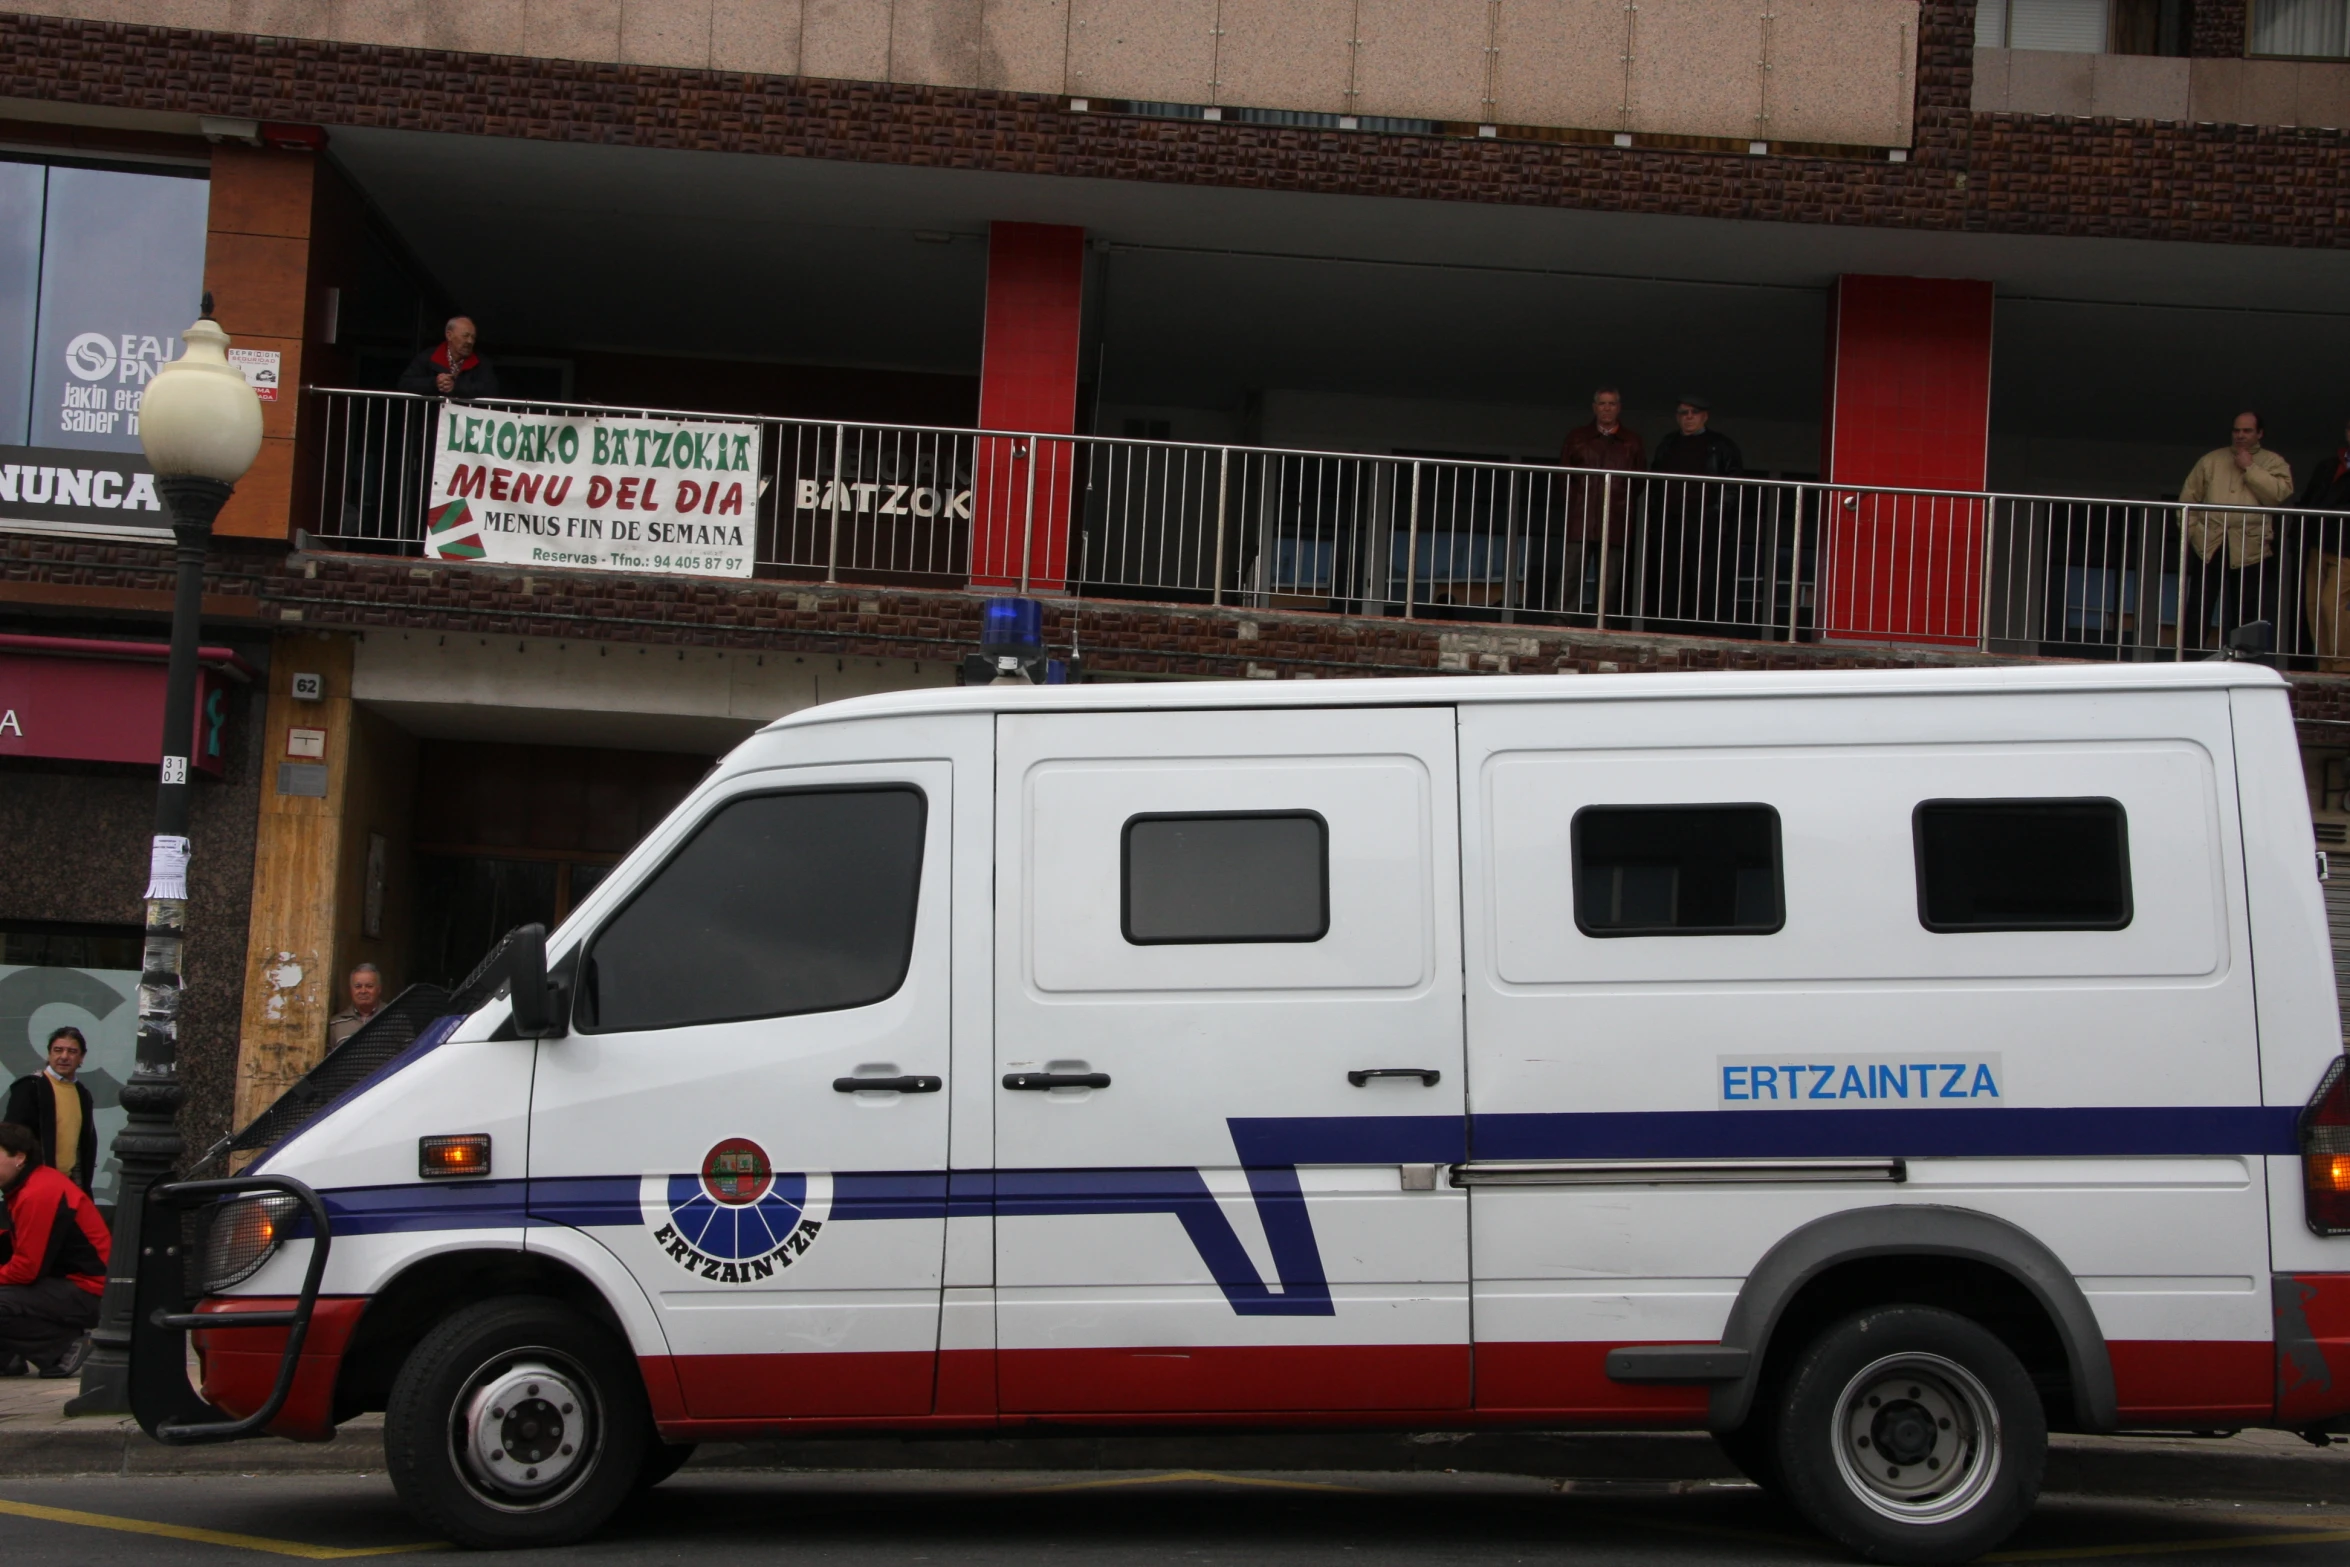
[1851, 1260]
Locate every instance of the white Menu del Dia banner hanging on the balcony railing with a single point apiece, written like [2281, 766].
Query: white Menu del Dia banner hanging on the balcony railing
[600, 492]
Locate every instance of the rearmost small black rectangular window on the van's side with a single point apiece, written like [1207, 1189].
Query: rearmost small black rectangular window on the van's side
[2022, 863]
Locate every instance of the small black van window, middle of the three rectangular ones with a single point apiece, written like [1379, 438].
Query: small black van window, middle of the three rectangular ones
[1677, 870]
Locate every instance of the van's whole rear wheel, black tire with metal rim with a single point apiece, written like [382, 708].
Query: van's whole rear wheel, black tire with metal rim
[1935, 1392]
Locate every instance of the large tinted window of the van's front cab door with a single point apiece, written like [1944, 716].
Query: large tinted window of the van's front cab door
[779, 903]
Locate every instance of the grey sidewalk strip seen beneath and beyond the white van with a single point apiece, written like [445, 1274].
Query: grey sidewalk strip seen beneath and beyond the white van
[39, 1439]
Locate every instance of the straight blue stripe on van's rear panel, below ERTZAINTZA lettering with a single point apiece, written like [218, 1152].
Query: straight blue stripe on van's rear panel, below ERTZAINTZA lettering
[2130, 1131]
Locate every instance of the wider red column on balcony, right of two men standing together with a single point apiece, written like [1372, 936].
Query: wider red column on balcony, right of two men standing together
[1909, 408]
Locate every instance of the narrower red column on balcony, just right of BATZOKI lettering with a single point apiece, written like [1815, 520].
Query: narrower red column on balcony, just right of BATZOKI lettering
[1028, 382]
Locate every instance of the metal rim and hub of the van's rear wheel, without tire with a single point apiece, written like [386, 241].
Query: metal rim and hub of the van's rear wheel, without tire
[1919, 1437]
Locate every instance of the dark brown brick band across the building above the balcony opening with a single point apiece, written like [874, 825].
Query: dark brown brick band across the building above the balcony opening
[2001, 173]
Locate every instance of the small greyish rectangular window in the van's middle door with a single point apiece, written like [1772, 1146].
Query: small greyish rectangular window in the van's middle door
[1226, 877]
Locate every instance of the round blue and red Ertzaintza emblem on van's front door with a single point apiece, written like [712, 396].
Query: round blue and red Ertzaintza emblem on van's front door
[737, 1220]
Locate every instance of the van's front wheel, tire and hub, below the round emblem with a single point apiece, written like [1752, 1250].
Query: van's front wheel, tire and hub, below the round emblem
[516, 1383]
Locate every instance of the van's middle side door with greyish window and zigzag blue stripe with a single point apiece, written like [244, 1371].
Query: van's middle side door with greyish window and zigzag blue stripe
[1230, 1063]
